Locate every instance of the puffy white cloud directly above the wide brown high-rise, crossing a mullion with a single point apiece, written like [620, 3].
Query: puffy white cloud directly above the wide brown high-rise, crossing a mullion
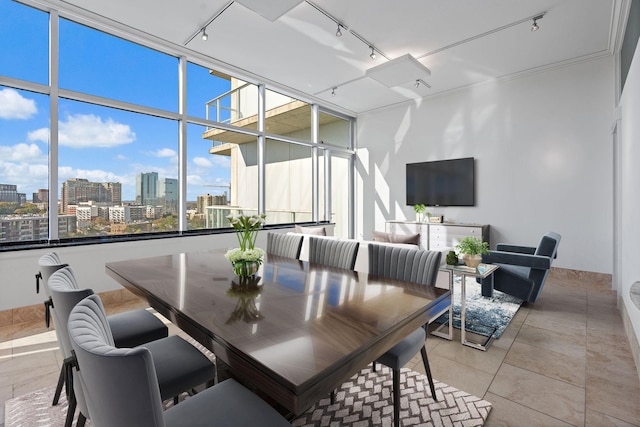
[88, 130]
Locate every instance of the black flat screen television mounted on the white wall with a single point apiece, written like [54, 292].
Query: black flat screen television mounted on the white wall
[441, 183]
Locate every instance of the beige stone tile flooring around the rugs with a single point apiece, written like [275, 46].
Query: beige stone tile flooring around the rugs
[563, 361]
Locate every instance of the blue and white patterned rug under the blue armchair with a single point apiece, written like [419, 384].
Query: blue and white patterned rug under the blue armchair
[485, 315]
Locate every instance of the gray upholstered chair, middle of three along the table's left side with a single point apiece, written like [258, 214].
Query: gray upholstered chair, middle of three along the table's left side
[179, 365]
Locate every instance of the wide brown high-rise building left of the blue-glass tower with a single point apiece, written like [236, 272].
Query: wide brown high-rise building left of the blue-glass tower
[77, 190]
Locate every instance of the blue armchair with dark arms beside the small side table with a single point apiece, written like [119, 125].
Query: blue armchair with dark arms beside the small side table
[523, 269]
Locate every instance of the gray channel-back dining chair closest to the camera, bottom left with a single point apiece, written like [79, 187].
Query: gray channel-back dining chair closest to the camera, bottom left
[123, 390]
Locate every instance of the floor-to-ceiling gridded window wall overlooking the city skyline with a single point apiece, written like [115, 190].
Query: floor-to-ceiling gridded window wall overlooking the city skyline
[132, 153]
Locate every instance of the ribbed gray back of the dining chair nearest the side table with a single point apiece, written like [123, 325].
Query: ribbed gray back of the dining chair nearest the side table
[409, 265]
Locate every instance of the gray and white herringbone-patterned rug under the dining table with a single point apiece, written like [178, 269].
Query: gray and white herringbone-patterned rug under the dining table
[365, 400]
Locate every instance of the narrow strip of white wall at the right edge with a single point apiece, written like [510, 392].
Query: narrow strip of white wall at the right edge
[629, 172]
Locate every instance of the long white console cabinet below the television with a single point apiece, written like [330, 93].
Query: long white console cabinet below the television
[439, 237]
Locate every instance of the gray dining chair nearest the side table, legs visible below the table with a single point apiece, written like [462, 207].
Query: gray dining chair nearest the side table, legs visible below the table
[409, 265]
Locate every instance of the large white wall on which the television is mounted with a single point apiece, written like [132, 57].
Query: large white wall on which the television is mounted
[543, 153]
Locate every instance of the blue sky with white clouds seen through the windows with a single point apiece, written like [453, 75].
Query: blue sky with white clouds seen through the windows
[99, 143]
